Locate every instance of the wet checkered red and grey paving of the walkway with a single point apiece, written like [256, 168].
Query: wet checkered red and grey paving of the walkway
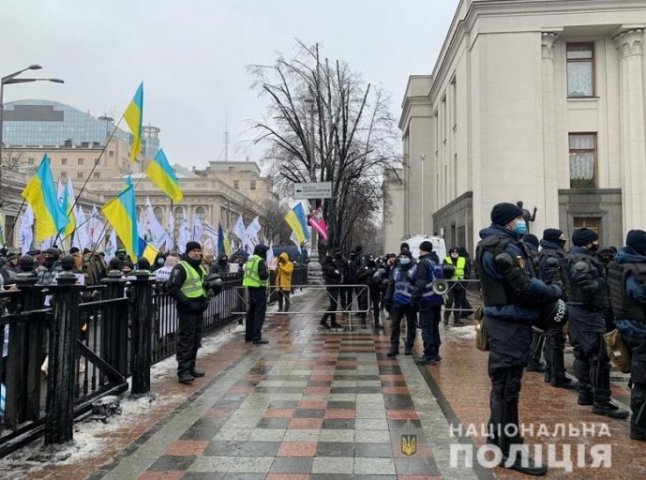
[323, 405]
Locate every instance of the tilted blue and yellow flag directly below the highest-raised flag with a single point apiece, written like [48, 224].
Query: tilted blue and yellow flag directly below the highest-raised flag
[121, 212]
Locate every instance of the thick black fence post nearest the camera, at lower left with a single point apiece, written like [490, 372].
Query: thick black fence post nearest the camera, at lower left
[63, 351]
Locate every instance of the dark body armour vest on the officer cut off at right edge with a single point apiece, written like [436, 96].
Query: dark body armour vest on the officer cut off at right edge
[623, 306]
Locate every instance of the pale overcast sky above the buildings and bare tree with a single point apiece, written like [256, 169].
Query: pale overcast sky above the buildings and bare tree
[192, 56]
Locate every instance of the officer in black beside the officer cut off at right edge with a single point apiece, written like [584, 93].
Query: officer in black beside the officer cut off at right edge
[588, 302]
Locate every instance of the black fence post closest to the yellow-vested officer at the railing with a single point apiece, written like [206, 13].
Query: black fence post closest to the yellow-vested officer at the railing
[141, 332]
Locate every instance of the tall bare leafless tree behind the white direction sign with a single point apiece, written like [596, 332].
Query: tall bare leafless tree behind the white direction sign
[325, 124]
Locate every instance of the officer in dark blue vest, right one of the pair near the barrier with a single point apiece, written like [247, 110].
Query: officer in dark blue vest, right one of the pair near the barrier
[430, 304]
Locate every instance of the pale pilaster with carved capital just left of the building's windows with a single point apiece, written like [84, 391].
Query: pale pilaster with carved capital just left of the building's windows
[550, 168]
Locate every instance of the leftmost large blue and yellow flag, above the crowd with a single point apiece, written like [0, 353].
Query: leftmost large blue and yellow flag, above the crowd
[40, 193]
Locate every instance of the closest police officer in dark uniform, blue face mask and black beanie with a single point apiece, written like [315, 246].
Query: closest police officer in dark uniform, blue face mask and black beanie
[513, 299]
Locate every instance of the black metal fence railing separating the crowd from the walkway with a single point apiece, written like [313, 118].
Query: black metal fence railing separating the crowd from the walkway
[66, 345]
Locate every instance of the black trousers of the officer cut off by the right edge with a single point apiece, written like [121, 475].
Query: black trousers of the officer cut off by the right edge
[637, 348]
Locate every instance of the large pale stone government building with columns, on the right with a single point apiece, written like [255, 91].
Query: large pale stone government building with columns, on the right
[542, 101]
